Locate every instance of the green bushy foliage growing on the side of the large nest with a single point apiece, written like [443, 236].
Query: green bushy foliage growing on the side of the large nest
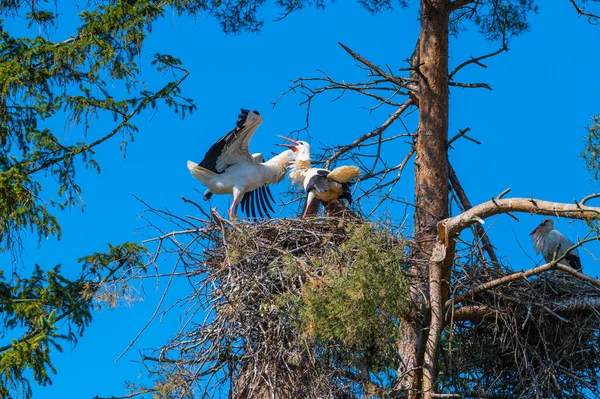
[361, 303]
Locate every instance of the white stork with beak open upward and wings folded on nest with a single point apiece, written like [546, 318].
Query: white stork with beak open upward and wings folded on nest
[319, 184]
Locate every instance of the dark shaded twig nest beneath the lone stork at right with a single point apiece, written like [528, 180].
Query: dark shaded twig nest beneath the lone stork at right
[531, 338]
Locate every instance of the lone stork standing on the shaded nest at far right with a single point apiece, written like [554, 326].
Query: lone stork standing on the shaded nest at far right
[553, 244]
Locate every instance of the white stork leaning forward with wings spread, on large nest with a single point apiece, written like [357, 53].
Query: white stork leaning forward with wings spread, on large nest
[229, 168]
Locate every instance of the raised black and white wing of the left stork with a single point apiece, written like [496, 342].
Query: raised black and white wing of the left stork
[233, 147]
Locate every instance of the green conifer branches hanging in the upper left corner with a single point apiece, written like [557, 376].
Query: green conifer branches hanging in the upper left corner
[73, 80]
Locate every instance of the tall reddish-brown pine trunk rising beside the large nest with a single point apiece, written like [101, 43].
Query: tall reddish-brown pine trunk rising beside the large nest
[431, 199]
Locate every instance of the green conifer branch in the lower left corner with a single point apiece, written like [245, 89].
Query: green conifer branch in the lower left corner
[35, 306]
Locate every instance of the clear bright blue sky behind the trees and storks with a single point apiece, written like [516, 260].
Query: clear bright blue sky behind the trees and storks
[532, 125]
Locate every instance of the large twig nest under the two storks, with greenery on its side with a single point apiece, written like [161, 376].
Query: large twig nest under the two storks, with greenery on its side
[282, 315]
